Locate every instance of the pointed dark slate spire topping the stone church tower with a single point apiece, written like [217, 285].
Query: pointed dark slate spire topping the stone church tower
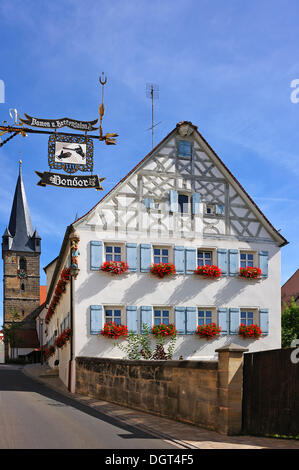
[20, 236]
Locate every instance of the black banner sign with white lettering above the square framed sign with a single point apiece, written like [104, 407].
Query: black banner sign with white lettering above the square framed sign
[58, 123]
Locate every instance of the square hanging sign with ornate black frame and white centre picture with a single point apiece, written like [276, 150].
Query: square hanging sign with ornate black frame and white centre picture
[70, 153]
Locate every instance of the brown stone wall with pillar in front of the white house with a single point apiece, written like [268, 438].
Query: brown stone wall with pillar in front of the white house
[196, 392]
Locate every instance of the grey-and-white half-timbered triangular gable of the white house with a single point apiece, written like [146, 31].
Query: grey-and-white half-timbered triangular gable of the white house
[164, 171]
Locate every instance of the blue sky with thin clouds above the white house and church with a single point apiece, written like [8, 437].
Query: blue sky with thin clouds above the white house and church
[225, 66]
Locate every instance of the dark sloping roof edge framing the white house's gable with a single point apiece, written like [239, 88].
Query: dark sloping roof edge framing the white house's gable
[276, 233]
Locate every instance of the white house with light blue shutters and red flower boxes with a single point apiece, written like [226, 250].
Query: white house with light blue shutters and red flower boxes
[180, 205]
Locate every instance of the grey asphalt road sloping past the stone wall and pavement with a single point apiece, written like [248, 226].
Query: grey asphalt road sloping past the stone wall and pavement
[33, 416]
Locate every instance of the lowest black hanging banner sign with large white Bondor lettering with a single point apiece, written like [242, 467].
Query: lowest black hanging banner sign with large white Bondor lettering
[70, 181]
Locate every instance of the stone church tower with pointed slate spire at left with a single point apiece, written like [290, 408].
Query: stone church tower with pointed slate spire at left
[21, 248]
